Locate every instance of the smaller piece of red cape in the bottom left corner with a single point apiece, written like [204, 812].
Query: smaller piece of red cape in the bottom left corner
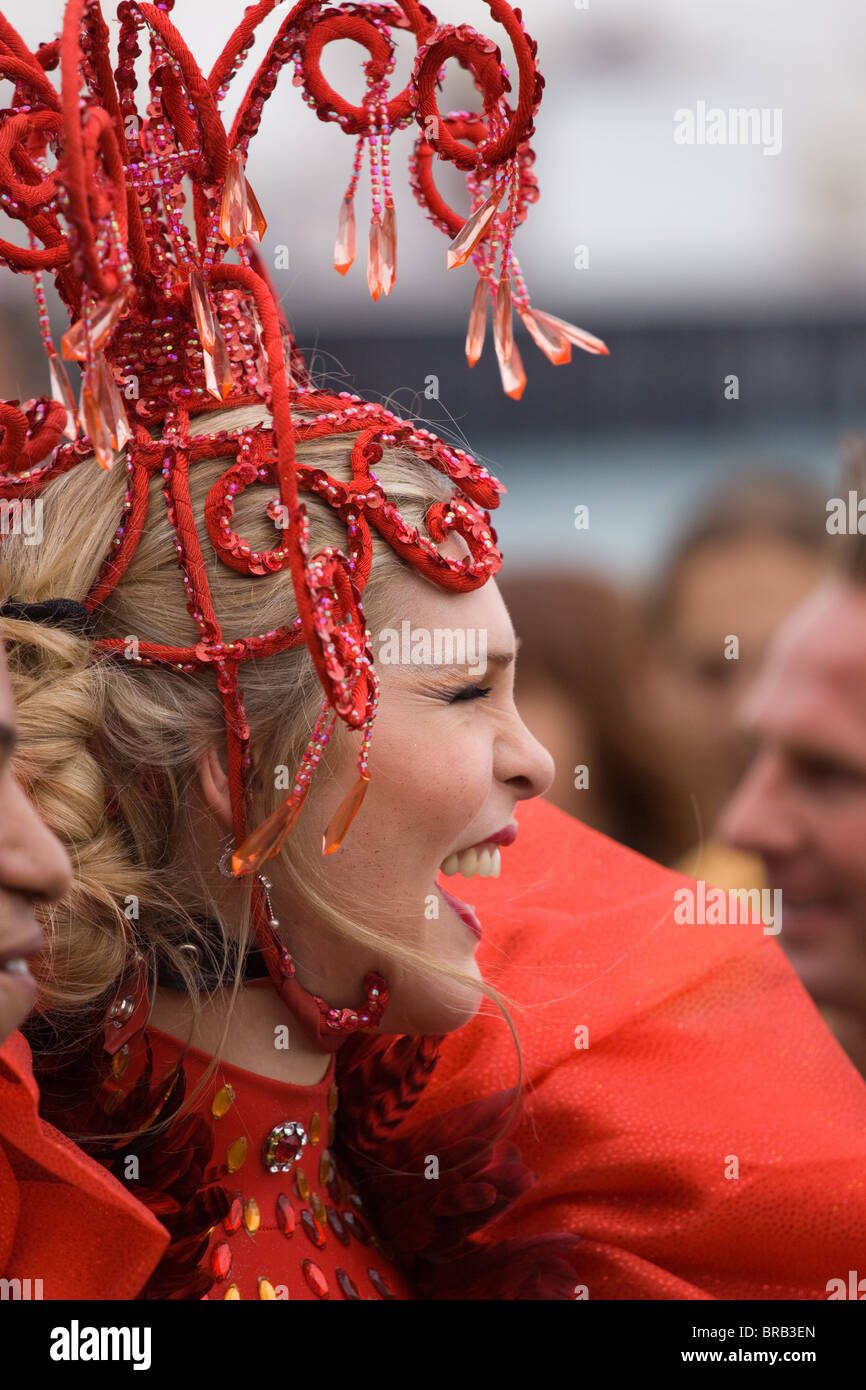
[63, 1218]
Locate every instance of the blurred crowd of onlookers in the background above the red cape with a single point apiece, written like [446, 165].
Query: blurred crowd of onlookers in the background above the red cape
[715, 721]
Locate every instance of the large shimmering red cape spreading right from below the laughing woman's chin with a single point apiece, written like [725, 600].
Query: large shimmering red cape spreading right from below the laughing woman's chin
[705, 1057]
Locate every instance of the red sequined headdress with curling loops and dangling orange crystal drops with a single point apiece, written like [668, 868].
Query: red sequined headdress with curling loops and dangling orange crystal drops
[166, 322]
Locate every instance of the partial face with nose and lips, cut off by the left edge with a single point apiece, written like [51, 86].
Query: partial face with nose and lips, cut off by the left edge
[34, 868]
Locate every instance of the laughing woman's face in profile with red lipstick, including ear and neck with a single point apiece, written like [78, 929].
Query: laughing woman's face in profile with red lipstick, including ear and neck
[450, 761]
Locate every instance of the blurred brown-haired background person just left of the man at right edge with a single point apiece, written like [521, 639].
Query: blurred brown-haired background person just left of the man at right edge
[749, 558]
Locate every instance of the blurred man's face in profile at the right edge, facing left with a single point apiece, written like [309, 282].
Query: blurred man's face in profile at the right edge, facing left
[803, 803]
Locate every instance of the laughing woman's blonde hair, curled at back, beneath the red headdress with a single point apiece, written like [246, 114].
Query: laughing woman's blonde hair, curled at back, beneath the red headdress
[91, 726]
